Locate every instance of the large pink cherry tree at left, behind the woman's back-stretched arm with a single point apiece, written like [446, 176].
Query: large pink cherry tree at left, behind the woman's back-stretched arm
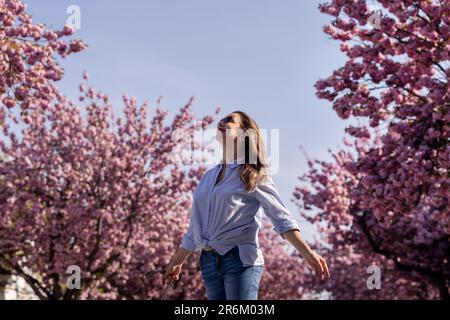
[82, 187]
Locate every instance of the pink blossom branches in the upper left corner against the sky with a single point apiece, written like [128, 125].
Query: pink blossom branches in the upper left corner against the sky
[28, 58]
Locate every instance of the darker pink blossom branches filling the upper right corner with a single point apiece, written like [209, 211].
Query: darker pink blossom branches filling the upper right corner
[396, 77]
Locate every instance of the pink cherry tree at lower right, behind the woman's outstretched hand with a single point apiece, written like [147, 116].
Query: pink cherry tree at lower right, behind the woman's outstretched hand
[411, 253]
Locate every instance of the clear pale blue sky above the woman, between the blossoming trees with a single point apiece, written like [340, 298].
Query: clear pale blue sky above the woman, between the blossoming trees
[260, 56]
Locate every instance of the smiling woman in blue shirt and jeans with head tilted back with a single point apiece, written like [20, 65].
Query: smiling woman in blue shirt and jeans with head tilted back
[225, 217]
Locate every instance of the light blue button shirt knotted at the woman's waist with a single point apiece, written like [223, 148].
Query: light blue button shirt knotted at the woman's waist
[227, 214]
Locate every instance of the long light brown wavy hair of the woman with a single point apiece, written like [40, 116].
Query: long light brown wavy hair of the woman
[252, 174]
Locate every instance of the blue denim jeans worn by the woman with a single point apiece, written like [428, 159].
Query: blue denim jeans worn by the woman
[226, 278]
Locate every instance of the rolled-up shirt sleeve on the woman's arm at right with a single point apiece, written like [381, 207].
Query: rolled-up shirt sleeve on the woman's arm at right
[267, 195]
